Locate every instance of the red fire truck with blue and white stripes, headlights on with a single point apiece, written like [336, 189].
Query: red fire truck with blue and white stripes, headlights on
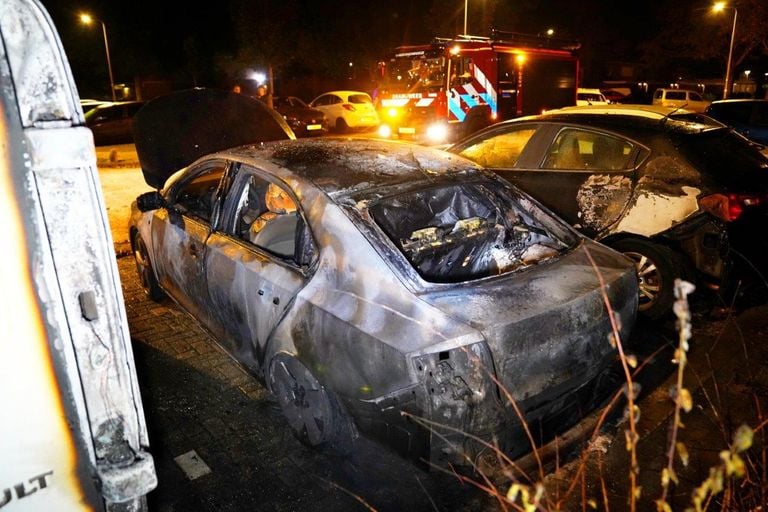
[452, 87]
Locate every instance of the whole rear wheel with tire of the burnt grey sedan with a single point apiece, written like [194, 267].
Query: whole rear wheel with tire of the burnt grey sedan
[313, 411]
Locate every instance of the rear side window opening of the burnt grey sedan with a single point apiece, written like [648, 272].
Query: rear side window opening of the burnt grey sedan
[268, 218]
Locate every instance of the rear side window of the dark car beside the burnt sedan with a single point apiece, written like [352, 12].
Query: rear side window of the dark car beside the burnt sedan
[580, 149]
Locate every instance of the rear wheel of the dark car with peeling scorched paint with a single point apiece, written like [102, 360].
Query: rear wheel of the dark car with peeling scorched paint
[657, 268]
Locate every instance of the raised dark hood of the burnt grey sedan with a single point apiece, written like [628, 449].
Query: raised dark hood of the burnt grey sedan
[174, 130]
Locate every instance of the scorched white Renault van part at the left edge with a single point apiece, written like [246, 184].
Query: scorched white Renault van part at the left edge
[72, 429]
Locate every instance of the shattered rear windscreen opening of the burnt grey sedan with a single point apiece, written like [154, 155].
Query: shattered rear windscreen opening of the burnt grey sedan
[462, 232]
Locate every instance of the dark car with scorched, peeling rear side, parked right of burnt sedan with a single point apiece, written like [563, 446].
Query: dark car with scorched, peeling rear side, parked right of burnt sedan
[669, 188]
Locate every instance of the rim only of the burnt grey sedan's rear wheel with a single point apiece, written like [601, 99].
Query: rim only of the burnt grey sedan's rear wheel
[303, 401]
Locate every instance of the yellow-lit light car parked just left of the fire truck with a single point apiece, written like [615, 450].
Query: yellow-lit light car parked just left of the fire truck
[347, 110]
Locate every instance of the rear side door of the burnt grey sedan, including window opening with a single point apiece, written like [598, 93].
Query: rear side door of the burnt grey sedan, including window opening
[256, 264]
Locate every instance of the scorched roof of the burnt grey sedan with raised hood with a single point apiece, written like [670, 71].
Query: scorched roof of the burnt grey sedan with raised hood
[343, 166]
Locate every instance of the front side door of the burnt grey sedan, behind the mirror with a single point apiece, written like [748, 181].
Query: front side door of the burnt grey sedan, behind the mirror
[179, 234]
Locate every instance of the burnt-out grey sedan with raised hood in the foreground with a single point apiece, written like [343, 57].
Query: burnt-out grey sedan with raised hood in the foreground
[381, 287]
